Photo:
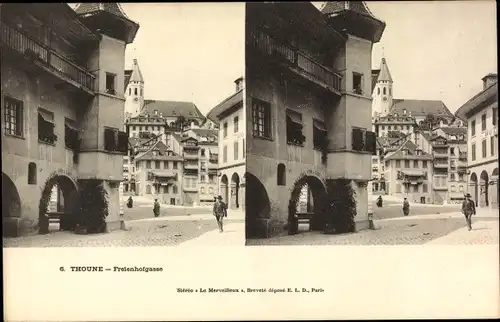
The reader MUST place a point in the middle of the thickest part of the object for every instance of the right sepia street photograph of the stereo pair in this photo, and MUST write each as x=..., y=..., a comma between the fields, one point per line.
x=350, y=143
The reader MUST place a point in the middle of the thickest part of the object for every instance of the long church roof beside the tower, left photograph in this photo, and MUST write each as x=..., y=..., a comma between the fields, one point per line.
x=172, y=109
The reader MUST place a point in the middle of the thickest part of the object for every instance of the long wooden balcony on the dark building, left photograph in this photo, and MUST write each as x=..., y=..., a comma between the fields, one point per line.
x=46, y=58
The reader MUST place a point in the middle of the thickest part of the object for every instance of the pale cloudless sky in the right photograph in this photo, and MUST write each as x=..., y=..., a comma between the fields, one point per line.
x=437, y=50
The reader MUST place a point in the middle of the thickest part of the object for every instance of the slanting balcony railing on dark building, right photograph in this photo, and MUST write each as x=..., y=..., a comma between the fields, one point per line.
x=308, y=65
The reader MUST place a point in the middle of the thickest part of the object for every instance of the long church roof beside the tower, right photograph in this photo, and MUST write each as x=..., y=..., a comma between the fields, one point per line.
x=420, y=108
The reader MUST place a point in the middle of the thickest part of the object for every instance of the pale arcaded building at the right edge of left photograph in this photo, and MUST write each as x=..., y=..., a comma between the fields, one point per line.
x=230, y=117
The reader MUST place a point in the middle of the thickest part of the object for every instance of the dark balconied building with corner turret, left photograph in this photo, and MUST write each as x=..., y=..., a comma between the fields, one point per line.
x=60, y=98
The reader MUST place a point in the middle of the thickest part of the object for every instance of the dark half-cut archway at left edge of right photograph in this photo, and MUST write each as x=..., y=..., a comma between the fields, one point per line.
x=258, y=207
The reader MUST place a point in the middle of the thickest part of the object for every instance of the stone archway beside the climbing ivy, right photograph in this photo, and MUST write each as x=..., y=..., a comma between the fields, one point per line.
x=317, y=190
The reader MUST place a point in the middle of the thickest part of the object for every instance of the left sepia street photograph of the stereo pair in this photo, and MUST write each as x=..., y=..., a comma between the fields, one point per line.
x=111, y=130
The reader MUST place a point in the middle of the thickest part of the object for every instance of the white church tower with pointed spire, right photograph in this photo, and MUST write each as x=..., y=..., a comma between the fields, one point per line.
x=382, y=92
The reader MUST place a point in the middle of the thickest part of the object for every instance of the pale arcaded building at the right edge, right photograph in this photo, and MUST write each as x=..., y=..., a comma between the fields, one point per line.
x=481, y=115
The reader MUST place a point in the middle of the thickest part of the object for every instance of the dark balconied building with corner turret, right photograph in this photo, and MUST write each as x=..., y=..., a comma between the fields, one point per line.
x=308, y=98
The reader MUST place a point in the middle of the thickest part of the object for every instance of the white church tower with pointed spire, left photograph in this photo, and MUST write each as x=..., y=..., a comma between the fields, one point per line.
x=134, y=93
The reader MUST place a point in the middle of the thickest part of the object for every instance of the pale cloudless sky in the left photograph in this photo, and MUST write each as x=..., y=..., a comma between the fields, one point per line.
x=188, y=51
